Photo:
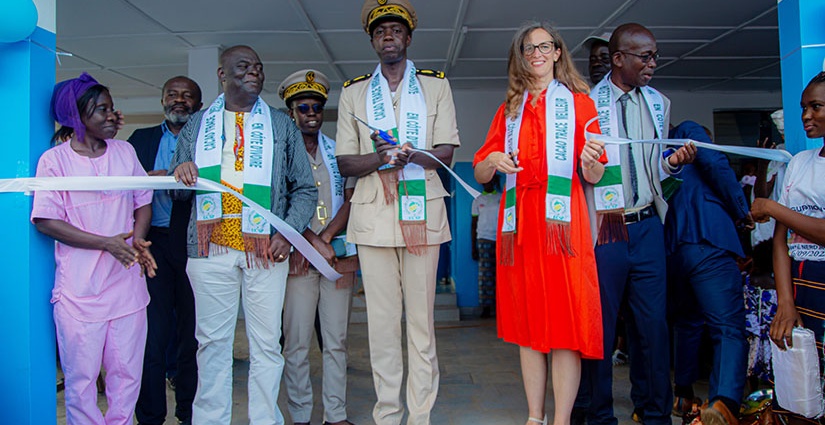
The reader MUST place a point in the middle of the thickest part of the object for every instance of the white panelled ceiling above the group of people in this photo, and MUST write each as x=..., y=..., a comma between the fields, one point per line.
x=133, y=46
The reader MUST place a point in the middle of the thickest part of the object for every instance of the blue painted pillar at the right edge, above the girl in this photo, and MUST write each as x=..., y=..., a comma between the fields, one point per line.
x=802, y=49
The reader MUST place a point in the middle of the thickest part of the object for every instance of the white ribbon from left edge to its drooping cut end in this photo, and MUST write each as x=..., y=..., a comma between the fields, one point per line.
x=31, y=184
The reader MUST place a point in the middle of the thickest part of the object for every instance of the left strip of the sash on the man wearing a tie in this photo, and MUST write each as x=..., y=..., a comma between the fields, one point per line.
x=608, y=192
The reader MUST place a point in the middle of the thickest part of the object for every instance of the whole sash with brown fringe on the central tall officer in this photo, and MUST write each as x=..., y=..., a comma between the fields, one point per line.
x=411, y=180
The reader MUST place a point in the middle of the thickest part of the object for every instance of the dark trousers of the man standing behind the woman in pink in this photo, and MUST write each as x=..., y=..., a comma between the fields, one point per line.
x=171, y=298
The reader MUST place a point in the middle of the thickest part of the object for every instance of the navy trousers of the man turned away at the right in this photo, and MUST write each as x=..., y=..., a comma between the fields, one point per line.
x=706, y=289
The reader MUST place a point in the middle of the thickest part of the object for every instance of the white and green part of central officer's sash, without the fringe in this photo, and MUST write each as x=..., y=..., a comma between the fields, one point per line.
x=413, y=130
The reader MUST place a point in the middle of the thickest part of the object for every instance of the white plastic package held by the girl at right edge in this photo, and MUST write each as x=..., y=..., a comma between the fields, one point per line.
x=798, y=386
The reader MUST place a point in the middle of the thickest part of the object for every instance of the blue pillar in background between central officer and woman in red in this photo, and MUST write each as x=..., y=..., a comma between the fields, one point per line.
x=464, y=269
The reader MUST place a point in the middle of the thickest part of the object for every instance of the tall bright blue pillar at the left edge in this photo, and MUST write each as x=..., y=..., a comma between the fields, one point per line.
x=27, y=352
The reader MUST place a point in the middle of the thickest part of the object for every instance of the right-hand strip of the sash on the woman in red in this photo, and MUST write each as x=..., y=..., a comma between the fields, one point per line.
x=560, y=116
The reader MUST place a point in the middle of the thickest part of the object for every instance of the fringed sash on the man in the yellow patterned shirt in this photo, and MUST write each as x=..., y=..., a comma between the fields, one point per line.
x=257, y=176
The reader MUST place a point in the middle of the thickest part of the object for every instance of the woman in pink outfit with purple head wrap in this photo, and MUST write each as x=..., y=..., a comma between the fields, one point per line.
x=99, y=293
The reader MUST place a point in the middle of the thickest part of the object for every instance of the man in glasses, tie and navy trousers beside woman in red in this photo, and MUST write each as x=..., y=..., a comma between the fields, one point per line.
x=630, y=252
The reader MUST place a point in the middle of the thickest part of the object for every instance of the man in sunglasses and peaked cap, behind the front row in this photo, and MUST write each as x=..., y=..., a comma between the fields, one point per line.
x=307, y=291
